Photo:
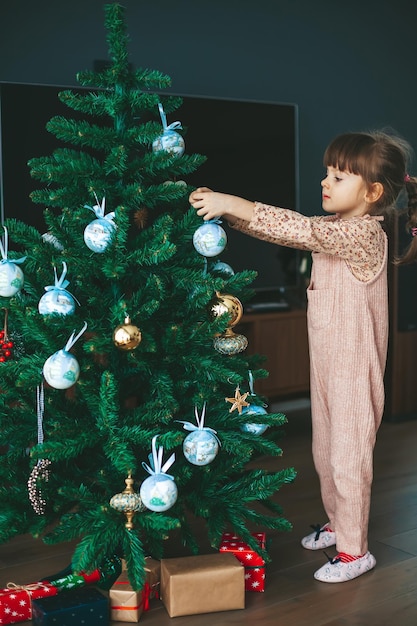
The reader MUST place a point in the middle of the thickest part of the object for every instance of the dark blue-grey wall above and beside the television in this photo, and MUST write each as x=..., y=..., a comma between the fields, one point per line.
x=348, y=65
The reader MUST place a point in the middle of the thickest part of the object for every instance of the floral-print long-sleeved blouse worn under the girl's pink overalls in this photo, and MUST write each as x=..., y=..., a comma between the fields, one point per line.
x=360, y=241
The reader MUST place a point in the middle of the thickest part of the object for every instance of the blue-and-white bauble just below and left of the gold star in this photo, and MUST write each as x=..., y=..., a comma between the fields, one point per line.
x=201, y=446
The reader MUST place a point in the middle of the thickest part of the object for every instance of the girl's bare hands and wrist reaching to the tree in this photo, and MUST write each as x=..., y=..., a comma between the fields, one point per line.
x=210, y=204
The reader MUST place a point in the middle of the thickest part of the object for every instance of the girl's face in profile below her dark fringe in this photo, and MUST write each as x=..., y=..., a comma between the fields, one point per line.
x=344, y=193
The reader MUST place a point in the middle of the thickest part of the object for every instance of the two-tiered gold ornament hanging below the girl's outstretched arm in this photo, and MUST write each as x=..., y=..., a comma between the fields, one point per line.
x=229, y=342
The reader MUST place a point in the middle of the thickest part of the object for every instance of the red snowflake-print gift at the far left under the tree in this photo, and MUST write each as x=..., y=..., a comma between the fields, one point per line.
x=16, y=600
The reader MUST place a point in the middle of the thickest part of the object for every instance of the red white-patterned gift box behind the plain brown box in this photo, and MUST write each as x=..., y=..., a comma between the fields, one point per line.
x=254, y=564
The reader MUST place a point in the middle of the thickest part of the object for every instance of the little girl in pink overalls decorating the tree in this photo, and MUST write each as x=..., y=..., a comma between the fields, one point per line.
x=347, y=322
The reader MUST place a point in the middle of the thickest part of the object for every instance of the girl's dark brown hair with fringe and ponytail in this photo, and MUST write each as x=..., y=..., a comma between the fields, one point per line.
x=379, y=157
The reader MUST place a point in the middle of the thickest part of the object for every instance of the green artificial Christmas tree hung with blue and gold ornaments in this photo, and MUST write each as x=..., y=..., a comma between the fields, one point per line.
x=113, y=365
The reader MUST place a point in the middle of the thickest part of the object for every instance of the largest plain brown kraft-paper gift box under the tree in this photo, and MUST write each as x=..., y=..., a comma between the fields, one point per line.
x=202, y=584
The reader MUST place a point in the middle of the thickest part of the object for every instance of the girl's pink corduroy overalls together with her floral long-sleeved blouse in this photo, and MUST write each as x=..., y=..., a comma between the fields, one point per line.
x=348, y=335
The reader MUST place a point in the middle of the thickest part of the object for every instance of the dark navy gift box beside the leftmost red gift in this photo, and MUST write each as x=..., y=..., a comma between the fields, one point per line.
x=83, y=605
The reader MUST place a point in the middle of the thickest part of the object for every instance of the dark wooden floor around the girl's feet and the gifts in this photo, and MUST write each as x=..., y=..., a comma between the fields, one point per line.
x=385, y=596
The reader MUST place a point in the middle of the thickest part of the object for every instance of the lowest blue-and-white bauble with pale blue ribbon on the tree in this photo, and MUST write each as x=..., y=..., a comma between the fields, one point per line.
x=158, y=492
